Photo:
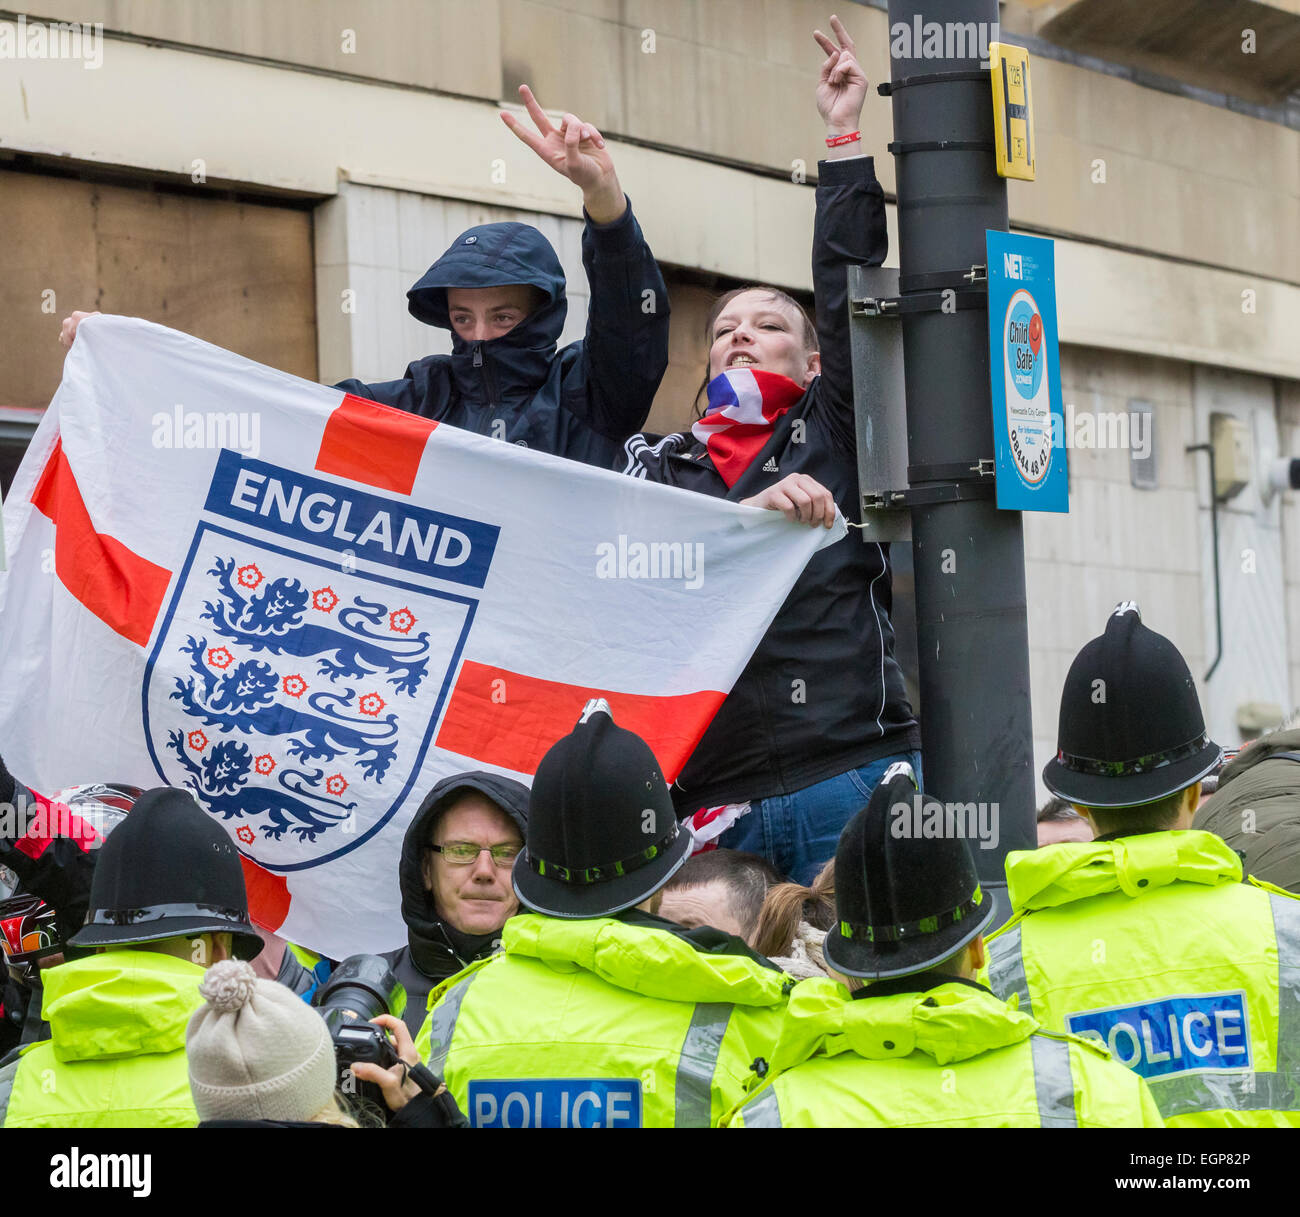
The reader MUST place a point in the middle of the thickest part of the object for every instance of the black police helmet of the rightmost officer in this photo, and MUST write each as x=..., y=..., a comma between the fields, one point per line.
x=1132, y=727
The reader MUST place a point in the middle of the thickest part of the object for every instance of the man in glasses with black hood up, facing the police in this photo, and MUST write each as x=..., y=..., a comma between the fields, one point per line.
x=457, y=860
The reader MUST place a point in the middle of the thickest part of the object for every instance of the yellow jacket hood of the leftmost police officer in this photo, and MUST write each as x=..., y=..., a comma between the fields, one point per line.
x=122, y=1003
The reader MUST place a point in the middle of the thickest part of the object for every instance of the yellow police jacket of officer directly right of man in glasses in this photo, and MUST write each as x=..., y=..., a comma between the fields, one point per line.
x=601, y=1024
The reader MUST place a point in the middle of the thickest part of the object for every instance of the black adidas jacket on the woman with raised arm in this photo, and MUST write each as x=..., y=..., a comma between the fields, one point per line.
x=822, y=694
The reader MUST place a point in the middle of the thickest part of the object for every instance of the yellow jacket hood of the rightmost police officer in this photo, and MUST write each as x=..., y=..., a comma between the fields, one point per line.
x=1063, y=874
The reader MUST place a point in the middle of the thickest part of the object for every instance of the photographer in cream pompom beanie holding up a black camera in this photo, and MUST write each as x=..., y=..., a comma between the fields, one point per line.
x=259, y=1058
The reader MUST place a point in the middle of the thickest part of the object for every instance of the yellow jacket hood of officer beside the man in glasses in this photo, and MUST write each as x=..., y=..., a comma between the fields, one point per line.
x=647, y=962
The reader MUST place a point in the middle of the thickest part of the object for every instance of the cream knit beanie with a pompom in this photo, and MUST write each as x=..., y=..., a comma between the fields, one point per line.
x=257, y=1051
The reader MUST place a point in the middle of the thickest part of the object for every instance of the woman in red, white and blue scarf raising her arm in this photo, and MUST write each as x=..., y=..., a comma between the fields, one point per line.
x=821, y=711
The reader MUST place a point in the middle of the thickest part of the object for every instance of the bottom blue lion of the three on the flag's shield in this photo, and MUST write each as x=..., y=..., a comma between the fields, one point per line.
x=220, y=781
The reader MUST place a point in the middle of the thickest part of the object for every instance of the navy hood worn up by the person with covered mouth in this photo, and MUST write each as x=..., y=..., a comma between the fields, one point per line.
x=493, y=255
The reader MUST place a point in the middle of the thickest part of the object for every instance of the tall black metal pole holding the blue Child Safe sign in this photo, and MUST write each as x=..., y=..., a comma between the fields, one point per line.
x=972, y=630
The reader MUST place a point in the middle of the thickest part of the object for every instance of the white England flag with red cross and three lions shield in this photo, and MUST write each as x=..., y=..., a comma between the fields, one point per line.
x=306, y=609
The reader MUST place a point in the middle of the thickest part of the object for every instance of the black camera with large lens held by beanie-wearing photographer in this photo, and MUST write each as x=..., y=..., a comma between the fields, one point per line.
x=361, y=989
